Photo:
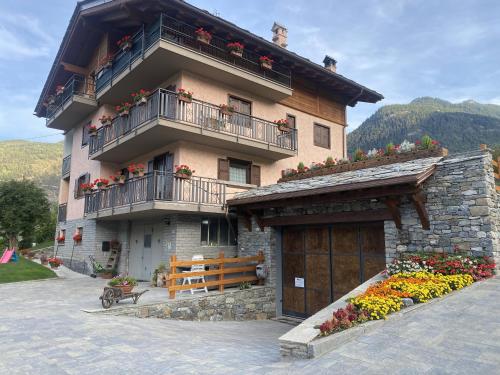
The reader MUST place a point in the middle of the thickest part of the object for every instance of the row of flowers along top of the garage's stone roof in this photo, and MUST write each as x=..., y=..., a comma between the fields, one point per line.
x=407, y=151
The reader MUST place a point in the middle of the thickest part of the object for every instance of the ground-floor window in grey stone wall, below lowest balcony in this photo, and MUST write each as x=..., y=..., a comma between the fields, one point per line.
x=218, y=231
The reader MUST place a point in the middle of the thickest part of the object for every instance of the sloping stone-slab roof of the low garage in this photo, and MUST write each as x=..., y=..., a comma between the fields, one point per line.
x=410, y=172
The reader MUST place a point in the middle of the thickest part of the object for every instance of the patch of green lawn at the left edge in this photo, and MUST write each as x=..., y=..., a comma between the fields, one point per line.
x=23, y=270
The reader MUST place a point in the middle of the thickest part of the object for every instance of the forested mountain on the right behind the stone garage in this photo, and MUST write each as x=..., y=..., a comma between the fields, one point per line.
x=458, y=126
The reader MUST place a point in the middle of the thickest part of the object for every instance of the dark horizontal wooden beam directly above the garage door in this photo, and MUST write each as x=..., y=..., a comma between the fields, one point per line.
x=339, y=217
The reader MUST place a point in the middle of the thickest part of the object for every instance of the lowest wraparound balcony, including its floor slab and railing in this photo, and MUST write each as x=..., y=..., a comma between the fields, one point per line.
x=155, y=194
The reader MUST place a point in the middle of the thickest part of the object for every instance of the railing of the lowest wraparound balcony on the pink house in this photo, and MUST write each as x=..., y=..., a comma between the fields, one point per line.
x=157, y=186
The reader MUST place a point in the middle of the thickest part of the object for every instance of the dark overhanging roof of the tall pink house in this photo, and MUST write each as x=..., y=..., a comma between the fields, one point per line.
x=364, y=94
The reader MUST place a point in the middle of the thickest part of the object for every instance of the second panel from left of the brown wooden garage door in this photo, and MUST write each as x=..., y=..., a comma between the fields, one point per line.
x=317, y=283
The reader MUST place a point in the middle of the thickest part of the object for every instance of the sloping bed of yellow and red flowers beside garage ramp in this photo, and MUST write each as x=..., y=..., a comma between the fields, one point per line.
x=419, y=277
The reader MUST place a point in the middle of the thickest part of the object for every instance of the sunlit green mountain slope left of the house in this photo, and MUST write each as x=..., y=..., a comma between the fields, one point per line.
x=37, y=161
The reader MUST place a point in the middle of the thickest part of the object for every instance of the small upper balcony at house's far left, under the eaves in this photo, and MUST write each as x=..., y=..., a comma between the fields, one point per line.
x=75, y=103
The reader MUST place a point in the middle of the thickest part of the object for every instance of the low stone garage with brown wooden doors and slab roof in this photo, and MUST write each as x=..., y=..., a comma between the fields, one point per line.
x=324, y=235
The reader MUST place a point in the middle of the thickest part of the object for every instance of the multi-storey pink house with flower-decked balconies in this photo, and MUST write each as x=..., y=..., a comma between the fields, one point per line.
x=112, y=49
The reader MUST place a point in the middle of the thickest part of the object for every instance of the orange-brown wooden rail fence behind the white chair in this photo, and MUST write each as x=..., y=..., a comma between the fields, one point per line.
x=238, y=266
